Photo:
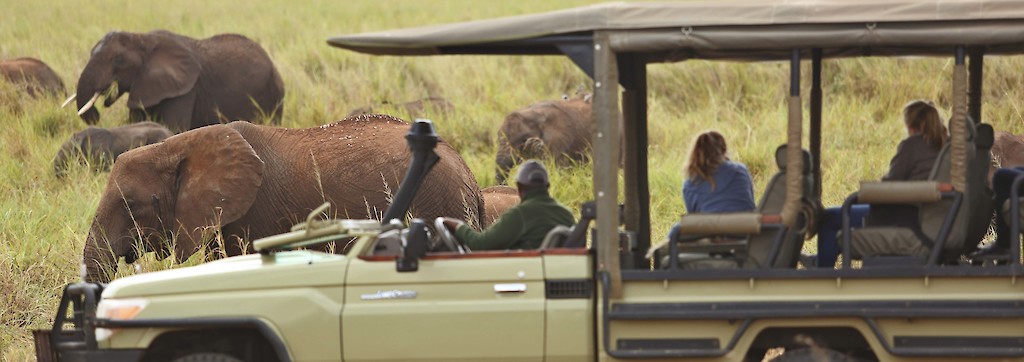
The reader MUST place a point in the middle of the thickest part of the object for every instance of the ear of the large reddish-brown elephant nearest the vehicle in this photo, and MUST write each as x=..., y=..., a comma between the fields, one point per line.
x=219, y=177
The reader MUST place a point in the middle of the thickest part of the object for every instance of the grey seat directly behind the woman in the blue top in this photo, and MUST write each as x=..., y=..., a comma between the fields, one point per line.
x=761, y=246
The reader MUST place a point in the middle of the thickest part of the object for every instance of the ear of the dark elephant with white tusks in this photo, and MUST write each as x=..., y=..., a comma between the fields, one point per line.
x=172, y=70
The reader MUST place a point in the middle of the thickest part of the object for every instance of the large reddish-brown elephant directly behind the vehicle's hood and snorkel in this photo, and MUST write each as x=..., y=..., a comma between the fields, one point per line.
x=249, y=182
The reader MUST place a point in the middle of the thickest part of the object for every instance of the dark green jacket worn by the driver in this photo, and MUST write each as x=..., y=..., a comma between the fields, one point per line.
x=523, y=227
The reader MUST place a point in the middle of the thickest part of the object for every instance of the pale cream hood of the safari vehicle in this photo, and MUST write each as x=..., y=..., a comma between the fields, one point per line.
x=288, y=269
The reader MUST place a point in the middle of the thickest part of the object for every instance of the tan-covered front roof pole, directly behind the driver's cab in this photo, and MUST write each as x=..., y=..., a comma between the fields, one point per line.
x=607, y=139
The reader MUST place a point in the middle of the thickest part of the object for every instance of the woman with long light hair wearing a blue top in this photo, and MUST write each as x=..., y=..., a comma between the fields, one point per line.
x=715, y=184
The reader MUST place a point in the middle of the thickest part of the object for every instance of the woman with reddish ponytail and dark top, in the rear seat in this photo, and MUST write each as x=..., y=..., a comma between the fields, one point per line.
x=914, y=161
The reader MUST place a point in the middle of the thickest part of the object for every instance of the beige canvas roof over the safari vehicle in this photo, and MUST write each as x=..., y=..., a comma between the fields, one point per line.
x=727, y=30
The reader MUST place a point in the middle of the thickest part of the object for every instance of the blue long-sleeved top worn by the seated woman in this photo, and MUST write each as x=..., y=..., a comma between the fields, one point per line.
x=734, y=192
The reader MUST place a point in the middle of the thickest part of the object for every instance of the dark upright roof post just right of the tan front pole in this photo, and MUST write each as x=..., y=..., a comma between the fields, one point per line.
x=633, y=76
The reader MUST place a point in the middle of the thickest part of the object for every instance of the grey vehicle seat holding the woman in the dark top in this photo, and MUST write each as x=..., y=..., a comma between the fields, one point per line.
x=969, y=223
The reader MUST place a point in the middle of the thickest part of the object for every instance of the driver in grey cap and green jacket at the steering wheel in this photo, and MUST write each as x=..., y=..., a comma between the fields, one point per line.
x=525, y=225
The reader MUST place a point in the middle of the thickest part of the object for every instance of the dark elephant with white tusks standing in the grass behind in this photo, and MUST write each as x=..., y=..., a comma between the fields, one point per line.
x=182, y=82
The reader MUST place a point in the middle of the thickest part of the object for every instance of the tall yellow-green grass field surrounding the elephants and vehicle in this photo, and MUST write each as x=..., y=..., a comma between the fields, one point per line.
x=45, y=221
